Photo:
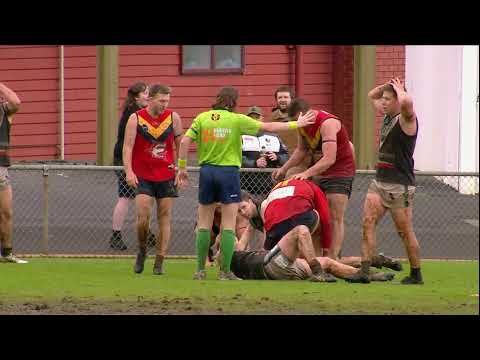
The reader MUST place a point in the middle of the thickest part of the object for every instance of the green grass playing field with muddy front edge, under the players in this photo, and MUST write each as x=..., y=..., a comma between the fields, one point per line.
x=101, y=286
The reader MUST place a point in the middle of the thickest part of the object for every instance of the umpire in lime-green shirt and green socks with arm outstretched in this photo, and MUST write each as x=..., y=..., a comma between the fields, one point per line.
x=218, y=134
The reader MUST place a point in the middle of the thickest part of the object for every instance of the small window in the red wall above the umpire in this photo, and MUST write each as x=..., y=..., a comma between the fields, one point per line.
x=212, y=59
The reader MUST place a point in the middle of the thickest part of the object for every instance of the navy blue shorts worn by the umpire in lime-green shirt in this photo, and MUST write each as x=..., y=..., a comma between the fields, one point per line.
x=219, y=184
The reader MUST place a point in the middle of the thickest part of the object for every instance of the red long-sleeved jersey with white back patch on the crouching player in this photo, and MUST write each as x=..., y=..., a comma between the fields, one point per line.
x=294, y=197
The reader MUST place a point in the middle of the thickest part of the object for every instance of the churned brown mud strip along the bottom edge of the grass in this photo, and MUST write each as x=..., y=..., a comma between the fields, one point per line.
x=236, y=304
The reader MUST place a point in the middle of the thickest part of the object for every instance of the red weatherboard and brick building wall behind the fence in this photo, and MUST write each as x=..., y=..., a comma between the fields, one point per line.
x=326, y=80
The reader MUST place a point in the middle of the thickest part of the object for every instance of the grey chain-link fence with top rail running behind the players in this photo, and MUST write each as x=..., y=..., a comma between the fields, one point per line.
x=67, y=209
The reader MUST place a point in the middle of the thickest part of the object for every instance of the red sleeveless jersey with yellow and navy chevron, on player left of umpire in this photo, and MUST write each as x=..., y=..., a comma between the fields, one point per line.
x=152, y=155
